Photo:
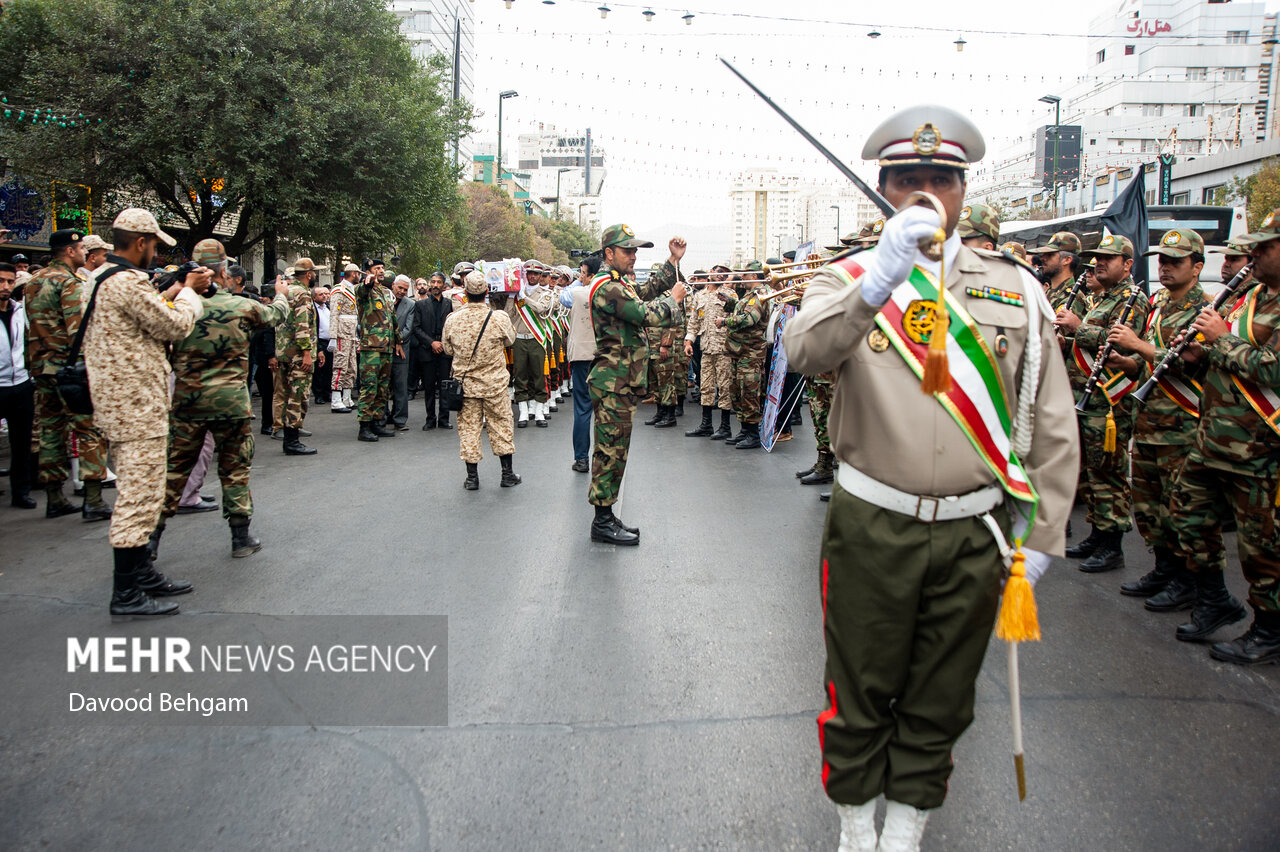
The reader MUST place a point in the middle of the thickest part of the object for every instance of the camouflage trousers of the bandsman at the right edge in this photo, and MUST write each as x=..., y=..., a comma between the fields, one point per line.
x=1197, y=519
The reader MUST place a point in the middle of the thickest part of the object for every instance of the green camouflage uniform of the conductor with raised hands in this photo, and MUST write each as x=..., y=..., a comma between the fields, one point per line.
x=621, y=312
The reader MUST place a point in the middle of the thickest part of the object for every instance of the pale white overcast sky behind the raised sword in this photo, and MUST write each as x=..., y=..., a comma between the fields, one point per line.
x=676, y=126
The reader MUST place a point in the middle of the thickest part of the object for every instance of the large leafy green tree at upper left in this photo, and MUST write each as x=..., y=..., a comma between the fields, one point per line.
x=309, y=118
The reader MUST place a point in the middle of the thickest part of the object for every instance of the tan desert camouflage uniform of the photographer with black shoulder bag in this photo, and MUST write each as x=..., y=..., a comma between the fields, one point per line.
x=129, y=373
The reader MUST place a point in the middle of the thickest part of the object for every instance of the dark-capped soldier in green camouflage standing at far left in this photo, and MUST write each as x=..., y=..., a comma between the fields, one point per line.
x=54, y=300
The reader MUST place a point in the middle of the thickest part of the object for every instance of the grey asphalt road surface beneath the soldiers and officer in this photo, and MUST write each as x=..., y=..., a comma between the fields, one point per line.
x=643, y=698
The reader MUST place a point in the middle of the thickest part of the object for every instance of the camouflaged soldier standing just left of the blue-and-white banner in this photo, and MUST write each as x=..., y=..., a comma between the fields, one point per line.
x=746, y=323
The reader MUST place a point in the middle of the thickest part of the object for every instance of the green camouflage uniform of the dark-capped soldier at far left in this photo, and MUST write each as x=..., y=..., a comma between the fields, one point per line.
x=54, y=301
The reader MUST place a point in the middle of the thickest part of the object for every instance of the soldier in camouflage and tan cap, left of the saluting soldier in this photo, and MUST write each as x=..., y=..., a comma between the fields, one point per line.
x=296, y=346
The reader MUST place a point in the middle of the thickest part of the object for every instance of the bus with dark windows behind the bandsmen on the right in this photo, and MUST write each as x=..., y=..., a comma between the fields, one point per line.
x=1218, y=226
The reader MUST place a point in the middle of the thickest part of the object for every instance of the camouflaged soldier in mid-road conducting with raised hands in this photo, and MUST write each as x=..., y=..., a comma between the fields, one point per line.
x=621, y=312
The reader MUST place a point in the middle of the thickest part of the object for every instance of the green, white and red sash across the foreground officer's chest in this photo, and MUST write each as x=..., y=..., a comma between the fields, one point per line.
x=977, y=401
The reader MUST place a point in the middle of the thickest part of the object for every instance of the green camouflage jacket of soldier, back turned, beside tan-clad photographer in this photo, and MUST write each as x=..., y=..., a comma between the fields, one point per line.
x=212, y=364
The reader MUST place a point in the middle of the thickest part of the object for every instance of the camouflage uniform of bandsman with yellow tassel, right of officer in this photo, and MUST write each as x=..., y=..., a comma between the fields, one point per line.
x=1109, y=493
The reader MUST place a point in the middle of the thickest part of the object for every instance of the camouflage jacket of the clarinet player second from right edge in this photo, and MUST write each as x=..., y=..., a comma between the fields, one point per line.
x=1163, y=422
